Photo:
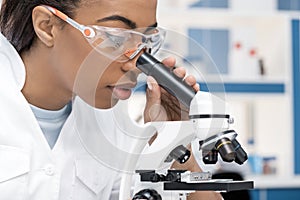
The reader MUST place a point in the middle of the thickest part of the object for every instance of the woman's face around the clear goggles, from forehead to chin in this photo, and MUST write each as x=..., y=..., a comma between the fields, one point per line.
x=98, y=80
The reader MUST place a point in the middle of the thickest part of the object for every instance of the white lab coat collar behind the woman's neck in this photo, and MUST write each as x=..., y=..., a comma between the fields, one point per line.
x=17, y=65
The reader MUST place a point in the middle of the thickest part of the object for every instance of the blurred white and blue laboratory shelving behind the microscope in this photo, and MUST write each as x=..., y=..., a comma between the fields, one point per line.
x=255, y=47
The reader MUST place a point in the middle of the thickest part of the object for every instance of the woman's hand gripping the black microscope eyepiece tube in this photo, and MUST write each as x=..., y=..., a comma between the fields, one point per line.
x=162, y=106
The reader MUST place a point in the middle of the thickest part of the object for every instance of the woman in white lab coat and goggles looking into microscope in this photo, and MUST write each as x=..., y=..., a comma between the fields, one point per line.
x=49, y=61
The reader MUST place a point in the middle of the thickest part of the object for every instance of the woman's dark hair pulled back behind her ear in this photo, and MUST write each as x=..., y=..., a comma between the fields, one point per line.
x=16, y=19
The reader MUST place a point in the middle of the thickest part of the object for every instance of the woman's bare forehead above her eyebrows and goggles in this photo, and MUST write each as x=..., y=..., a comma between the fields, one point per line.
x=141, y=12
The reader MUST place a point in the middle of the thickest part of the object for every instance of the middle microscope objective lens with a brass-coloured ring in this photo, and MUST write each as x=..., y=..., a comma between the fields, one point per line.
x=226, y=150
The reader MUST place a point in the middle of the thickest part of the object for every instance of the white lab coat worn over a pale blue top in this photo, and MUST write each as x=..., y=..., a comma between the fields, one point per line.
x=29, y=169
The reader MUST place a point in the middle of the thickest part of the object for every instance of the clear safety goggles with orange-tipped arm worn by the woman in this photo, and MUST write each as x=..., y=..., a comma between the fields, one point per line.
x=117, y=43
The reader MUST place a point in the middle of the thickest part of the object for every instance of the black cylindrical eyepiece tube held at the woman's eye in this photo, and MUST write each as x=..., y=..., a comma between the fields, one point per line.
x=166, y=78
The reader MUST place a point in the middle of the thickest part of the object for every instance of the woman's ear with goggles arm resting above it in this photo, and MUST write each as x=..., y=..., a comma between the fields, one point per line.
x=43, y=25
